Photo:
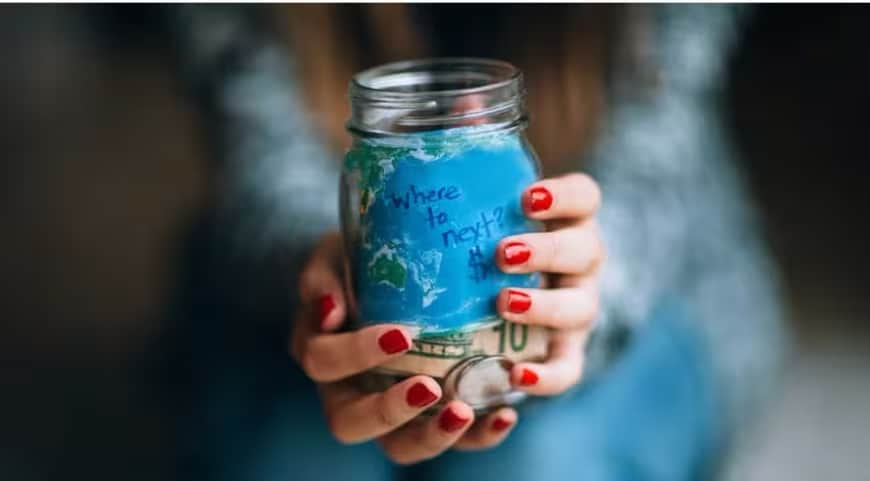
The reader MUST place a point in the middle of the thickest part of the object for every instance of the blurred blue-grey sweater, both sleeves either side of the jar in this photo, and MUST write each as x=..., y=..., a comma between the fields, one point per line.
x=676, y=217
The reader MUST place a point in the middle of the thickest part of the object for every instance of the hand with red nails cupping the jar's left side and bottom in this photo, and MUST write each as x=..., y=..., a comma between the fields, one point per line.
x=331, y=358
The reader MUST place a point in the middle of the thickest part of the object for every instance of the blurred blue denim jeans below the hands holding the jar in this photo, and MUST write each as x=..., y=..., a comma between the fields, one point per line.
x=651, y=416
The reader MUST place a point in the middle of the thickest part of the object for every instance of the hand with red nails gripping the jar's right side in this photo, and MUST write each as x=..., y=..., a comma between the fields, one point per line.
x=570, y=253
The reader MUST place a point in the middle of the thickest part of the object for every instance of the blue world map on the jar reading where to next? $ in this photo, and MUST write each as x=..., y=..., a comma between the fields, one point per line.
x=422, y=215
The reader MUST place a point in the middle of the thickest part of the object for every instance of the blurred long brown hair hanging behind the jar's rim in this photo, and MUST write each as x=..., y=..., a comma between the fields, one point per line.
x=561, y=49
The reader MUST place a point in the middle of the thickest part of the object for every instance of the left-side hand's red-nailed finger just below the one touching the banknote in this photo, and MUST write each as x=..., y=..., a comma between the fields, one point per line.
x=372, y=415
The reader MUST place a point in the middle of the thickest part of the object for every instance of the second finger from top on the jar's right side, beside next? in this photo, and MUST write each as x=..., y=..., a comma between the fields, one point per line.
x=574, y=250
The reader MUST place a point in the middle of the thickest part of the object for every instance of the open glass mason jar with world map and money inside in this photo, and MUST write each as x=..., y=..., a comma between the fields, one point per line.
x=431, y=184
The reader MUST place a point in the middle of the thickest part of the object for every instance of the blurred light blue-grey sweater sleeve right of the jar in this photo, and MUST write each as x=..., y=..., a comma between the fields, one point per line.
x=676, y=217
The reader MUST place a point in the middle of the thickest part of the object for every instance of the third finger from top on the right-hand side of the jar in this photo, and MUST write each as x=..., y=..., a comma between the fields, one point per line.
x=565, y=308
